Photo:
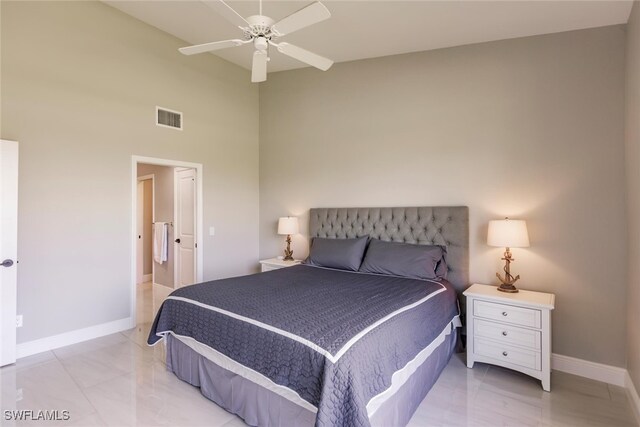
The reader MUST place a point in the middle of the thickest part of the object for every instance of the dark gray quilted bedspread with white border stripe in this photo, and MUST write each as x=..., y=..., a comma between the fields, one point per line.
x=334, y=337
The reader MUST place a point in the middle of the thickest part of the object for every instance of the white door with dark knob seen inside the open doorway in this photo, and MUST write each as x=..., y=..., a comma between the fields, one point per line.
x=185, y=227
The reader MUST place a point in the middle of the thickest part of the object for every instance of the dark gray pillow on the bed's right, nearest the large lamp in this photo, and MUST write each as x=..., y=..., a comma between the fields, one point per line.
x=405, y=259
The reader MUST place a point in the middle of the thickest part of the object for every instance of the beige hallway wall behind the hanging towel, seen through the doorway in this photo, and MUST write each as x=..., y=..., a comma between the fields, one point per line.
x=164, y=201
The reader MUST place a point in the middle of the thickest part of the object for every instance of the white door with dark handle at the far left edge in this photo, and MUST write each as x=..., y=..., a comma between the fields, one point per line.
x=8, y=249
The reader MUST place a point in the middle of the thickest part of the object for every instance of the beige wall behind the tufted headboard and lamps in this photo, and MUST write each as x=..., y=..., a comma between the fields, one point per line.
x=532, y=128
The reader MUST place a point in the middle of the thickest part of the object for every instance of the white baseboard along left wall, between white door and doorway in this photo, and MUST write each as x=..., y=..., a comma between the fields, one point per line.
x=56, y=341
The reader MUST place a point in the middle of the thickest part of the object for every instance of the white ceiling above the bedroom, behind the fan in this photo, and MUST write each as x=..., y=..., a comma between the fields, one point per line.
x=366, y=29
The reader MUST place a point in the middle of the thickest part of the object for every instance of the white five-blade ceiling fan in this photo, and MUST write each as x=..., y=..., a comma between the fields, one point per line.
x=262, y=30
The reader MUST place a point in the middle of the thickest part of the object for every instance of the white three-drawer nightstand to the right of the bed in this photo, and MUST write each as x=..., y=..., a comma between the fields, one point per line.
x=510, y=330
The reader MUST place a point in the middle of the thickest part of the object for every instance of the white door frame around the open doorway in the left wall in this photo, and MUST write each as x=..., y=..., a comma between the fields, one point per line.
x=135, y=160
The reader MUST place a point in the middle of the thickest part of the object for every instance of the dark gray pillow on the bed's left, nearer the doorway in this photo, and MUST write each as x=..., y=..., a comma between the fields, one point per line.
x=344, y=254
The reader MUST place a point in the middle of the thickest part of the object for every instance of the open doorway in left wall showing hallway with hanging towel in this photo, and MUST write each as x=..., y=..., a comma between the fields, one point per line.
x=167, y=223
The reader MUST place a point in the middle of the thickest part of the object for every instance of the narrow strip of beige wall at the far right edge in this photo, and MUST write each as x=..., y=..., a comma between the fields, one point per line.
x=633, y=192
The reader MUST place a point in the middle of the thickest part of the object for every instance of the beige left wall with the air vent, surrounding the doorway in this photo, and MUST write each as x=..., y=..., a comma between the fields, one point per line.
x=80, y=82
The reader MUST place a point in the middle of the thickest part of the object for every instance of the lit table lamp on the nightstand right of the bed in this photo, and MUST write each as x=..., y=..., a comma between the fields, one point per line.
x=508, y=233
